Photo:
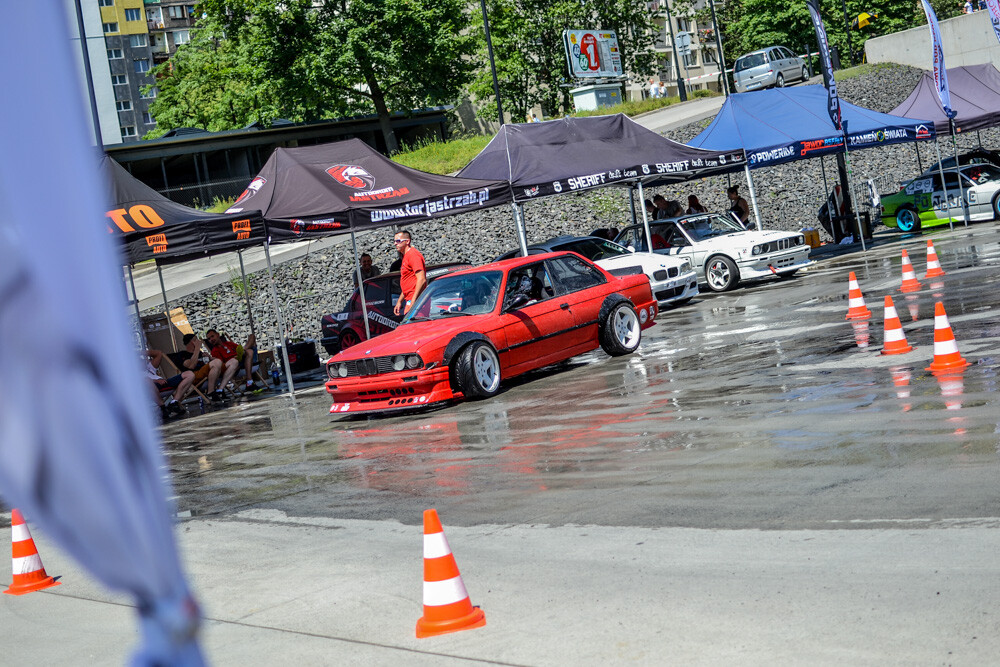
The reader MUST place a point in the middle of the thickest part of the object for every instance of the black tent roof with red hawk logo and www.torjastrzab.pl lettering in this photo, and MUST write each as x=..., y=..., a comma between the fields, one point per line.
x=329, y=188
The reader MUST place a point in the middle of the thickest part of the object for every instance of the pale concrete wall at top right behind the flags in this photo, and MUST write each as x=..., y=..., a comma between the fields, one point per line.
x=967, y=40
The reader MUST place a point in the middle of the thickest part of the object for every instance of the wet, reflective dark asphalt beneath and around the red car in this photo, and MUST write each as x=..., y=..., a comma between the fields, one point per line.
x=761, y=408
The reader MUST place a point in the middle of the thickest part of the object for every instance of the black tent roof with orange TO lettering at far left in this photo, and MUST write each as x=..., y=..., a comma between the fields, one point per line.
x=154, y=227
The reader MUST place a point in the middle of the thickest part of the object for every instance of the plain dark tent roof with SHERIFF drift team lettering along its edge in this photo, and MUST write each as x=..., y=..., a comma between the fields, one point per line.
x=572, y=154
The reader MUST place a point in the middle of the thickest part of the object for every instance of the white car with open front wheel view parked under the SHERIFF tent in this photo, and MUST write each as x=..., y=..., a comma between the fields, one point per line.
x=722, y=252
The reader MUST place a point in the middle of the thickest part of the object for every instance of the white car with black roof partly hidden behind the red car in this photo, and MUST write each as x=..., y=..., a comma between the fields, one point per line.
x=672, y=279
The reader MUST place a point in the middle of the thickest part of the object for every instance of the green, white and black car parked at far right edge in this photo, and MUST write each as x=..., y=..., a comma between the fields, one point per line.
x=924, y=202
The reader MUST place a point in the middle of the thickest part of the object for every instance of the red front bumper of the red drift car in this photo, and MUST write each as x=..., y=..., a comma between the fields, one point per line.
x=403, y=390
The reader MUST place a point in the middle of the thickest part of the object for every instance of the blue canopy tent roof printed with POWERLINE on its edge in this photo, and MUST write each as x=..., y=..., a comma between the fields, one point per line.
x=785, y=124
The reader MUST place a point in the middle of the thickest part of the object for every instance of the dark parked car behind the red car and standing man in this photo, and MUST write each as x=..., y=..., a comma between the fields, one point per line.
x=346, y=328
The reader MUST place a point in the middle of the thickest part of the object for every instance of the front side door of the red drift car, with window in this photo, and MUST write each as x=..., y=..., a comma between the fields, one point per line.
x=537, y=331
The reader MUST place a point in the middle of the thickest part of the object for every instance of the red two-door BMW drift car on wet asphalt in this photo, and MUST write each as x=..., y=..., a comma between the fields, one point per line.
x=471, y=328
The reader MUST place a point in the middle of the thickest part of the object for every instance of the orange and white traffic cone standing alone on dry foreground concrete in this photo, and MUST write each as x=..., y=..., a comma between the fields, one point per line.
x=447, y=607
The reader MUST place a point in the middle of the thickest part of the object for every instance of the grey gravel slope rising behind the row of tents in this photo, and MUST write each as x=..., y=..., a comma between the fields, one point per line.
x=788, y=196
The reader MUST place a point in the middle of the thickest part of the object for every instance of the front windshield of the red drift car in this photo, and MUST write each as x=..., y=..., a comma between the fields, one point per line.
x=455, y=296
